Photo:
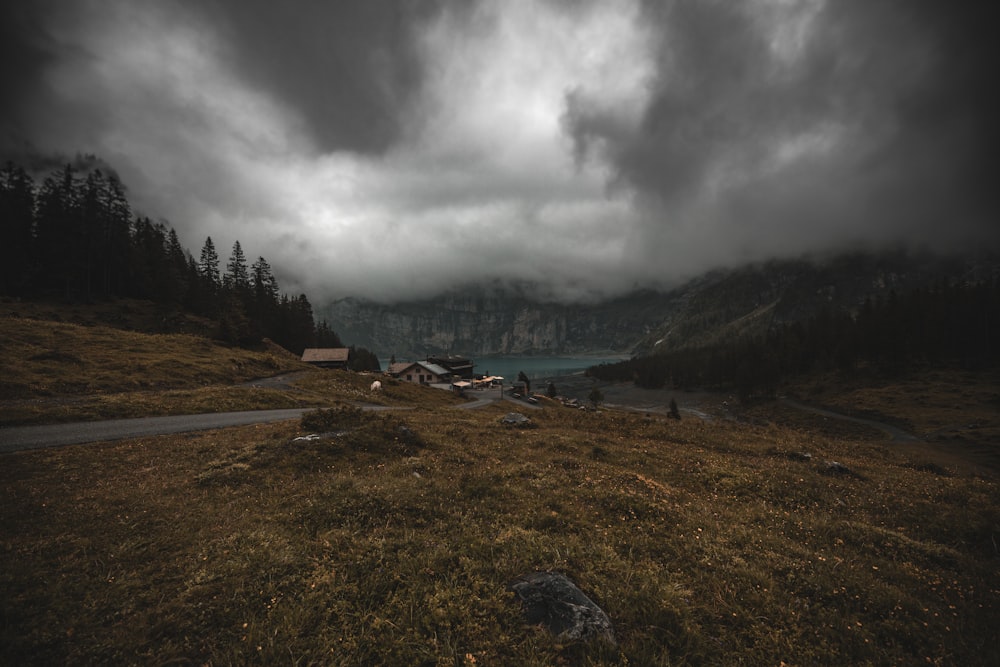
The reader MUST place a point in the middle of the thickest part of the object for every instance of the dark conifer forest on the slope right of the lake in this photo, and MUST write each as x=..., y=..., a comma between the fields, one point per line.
x=948, y=324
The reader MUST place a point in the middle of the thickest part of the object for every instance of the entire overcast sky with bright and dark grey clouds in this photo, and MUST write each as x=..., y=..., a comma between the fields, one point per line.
x=392, y=149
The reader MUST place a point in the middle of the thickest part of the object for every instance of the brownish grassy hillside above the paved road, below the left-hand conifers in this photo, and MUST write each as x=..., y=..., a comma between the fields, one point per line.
x=55, y=370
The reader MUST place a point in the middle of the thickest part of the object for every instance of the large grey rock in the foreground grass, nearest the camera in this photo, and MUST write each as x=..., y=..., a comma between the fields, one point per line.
x=554, y=601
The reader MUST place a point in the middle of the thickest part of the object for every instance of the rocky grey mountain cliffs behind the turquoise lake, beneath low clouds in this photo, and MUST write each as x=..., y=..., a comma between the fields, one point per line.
x=745, y=301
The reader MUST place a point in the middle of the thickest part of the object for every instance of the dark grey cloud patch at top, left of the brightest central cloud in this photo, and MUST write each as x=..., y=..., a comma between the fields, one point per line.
x=350, y=68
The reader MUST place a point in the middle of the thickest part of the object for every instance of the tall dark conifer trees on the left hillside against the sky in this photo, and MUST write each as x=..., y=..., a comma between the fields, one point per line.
x=76, y=237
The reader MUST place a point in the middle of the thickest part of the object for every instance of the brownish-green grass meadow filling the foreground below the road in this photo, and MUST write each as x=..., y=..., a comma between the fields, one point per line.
x=392, y=539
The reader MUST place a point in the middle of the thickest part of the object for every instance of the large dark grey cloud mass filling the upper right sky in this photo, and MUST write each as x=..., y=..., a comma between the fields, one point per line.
x=877, y=122
